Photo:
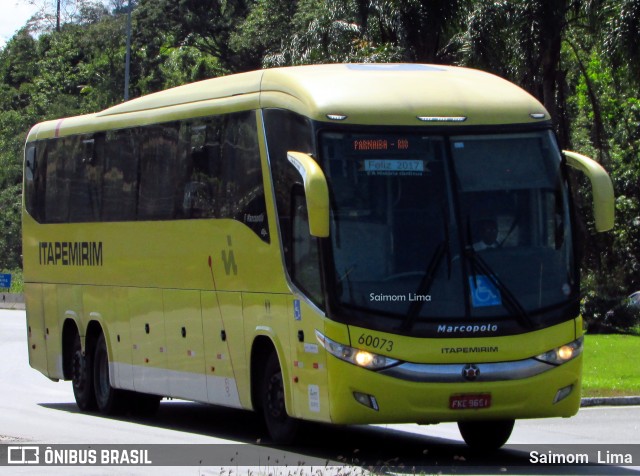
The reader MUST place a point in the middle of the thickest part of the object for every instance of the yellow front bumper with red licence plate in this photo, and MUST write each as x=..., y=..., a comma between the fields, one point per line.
x=362, y=396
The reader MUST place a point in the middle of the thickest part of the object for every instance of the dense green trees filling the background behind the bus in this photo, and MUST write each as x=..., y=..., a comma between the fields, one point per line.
x=581, y=58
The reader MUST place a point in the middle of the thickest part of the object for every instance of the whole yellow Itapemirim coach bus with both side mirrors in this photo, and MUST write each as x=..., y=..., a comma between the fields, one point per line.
x=336, y=243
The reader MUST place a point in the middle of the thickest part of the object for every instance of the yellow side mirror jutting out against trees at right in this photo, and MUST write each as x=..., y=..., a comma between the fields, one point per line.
x=602, y=188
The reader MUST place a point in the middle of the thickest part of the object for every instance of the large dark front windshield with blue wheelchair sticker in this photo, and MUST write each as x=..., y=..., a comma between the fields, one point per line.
x=433, y=228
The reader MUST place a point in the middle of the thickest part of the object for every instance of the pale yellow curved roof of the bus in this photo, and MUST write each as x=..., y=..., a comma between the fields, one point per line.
x=372, y=94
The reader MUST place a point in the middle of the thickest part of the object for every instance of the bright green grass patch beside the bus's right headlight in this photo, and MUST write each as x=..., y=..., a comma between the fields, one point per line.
x=611, y=366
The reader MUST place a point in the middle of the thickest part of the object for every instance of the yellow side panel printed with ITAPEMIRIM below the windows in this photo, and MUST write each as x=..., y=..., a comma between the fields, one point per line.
x=175, y=255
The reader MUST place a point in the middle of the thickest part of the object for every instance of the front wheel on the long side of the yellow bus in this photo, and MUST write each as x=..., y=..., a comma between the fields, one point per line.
x=281, y=427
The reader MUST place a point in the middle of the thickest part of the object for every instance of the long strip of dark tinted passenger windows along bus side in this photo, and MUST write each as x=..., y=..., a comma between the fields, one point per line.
x=205, y=168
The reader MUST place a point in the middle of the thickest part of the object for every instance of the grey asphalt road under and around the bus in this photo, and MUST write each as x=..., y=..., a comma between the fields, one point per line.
x=36, y=411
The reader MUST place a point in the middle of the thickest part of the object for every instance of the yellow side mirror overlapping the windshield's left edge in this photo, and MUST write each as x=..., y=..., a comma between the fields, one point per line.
x=316, y=191
